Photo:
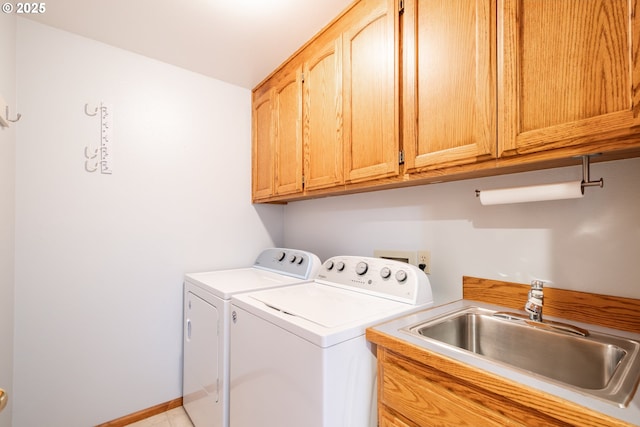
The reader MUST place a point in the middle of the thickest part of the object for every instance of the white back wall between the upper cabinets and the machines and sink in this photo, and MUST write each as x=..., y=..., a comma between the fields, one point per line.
x=590, y=244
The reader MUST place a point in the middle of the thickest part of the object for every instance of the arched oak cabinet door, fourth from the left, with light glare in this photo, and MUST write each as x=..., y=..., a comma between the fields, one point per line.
x=370, y=101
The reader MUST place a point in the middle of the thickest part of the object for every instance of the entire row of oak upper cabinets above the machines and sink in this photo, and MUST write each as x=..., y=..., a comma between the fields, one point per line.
x=463, y=87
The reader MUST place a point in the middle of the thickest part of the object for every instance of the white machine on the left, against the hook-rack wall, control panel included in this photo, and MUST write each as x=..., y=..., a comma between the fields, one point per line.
x=206, y=321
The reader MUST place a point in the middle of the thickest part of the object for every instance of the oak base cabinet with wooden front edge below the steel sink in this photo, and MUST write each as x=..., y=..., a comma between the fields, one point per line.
x=418, y=388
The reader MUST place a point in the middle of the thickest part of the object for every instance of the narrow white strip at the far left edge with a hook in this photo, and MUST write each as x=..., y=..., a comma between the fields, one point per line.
x=7, y=206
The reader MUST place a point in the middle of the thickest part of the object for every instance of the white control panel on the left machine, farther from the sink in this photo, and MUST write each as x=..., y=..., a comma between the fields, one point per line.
x=289, y=262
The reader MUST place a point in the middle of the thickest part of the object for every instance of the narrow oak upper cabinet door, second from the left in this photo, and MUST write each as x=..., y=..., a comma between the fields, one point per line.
x=288, y=135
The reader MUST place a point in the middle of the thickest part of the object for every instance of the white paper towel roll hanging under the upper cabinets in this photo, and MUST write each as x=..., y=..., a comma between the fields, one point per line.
x=533, y=193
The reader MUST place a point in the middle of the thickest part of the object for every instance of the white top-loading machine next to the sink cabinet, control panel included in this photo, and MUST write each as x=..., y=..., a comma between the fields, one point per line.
x=299, y=354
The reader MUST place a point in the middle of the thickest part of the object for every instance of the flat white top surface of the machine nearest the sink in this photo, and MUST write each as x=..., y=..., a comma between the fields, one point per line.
x=327, y=306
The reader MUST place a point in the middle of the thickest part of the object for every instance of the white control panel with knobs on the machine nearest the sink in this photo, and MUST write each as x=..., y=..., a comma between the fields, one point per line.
x=386, y=278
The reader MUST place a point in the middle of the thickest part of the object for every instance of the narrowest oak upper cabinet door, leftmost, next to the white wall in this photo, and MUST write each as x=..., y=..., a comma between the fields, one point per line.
x=263, y=130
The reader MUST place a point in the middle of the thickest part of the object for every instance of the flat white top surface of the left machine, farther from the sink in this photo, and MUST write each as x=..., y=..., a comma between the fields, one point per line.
x=225, y=283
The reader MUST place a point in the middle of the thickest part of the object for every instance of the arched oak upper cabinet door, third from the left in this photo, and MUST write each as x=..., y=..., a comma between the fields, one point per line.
x=323, y=166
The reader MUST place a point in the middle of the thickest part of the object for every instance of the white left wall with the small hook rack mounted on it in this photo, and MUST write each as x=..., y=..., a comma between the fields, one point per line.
x=100, y=258
